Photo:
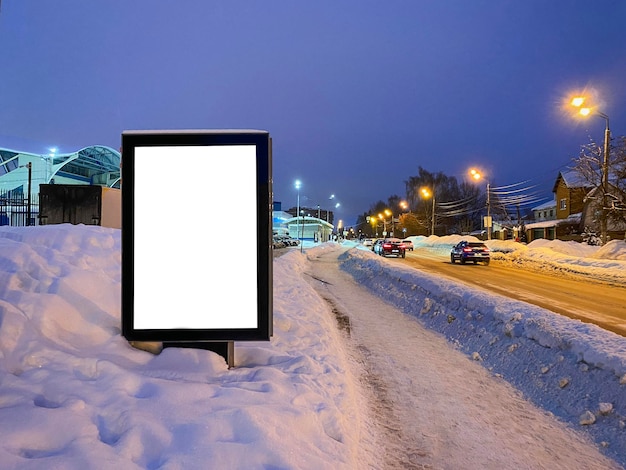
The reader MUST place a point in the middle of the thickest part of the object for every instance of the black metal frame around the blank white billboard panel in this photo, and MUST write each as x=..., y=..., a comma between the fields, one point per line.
x=202, y=337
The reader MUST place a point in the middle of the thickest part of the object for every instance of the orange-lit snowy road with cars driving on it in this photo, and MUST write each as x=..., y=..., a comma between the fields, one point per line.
x=579, y=297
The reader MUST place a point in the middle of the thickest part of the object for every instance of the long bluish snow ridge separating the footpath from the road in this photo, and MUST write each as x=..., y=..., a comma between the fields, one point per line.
x=575, y=370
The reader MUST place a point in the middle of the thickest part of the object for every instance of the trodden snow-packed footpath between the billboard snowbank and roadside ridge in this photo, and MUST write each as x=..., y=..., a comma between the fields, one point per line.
x=424, y=403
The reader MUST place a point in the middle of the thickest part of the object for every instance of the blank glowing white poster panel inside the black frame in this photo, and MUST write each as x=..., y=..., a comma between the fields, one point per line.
x=191, y=268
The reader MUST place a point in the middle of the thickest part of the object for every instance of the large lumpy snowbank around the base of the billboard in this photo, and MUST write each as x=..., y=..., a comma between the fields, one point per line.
x=74, y=394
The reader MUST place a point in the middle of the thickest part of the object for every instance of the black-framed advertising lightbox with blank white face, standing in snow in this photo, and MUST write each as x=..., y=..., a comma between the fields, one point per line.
x=196, y=235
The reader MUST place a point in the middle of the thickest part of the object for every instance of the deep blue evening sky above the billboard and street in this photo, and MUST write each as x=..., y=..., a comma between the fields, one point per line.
x=355, y=94
